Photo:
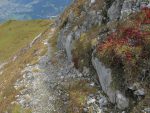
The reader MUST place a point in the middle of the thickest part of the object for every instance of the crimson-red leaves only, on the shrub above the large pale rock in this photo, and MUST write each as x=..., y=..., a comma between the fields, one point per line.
x=127, y=37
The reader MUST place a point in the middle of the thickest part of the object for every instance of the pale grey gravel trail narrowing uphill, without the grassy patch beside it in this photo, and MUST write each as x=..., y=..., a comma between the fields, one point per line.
x=43, y=82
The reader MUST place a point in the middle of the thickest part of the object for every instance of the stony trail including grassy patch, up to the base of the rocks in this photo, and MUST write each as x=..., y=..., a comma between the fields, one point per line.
x=52, y=85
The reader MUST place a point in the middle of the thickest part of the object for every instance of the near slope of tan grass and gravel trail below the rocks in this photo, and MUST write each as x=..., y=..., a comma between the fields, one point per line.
x=40, y=80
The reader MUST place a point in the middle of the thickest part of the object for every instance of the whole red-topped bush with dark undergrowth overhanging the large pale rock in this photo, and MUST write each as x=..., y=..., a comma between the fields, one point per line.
x=128, y=48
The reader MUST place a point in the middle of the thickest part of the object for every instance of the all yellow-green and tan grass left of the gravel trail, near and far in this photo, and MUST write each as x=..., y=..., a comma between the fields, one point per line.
x=21, y=34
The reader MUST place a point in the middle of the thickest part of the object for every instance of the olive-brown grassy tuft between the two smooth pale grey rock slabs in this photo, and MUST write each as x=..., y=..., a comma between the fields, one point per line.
x=83, y=48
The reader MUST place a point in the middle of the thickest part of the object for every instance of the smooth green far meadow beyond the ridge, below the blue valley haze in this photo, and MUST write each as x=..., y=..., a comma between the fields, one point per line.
x=16, y=34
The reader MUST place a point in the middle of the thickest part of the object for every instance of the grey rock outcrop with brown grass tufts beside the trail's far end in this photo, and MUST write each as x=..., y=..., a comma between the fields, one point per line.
x=77, y=22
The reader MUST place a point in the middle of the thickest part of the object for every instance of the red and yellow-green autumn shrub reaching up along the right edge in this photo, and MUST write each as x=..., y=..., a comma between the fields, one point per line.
x=128, y=43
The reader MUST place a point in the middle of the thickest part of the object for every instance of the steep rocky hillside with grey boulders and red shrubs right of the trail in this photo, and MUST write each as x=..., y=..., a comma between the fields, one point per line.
x=110, y=37
